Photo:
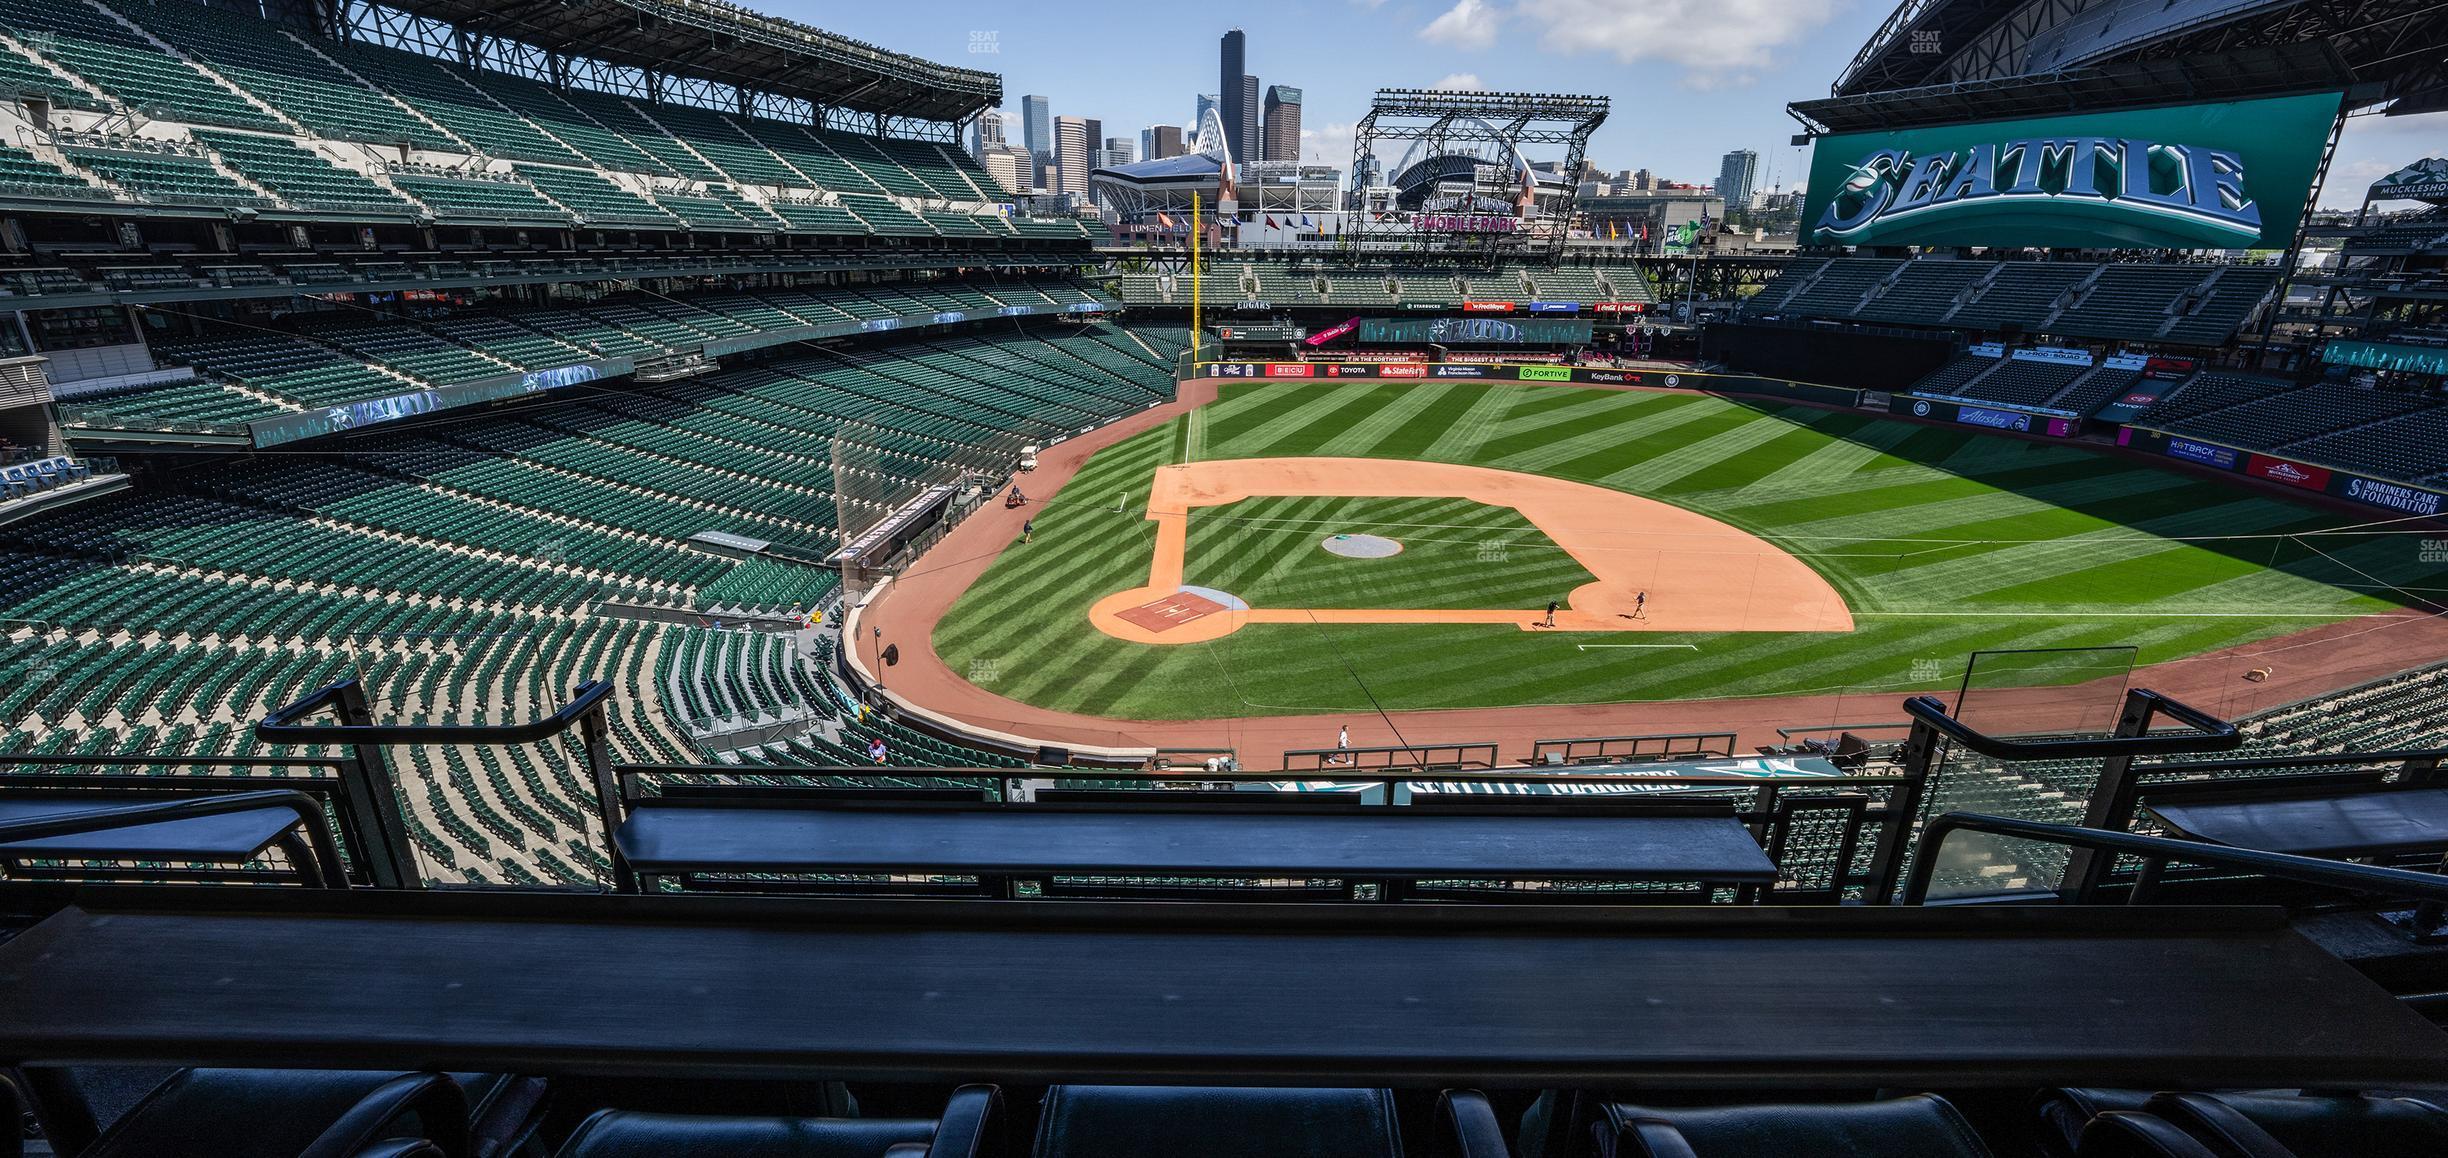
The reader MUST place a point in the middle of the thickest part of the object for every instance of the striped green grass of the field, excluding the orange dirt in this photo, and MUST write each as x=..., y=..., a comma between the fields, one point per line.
x=1942, y=542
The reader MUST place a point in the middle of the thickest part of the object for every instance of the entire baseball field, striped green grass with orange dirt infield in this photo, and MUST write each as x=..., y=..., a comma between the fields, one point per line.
x=1301, y=550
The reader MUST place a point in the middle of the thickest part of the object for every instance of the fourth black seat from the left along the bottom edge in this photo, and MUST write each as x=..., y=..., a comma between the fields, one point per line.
x=1906, y=1127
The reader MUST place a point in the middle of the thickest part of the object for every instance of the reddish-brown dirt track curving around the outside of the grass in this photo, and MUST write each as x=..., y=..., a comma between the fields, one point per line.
x=2300, y=665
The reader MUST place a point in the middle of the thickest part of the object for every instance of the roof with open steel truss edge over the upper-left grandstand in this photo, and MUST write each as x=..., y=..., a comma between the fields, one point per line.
x=696, y=53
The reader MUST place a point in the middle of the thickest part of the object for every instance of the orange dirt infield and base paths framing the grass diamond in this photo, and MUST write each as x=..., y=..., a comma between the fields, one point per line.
x=1698, y=574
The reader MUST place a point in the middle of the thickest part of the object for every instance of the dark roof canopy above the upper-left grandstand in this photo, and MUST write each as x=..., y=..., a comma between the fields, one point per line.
x=731, y=45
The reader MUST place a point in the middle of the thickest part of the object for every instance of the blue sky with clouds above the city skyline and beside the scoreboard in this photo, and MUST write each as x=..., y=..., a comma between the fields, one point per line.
x=1690, y=80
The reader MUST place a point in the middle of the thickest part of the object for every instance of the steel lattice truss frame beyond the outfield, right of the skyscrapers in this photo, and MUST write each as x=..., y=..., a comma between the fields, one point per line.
x=1438, y=121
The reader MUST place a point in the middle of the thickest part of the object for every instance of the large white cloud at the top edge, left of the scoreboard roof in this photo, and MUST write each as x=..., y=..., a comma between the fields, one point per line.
x=1717, y=43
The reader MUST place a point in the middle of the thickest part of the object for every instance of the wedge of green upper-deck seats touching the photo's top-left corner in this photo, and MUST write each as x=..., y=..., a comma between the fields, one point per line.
x=126, y=65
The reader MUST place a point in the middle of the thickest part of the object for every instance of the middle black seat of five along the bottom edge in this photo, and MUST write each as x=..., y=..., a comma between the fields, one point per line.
x=1218, y=1123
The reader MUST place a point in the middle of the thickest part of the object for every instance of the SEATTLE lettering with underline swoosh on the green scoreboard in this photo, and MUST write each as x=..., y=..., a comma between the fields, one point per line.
x=2148, y=192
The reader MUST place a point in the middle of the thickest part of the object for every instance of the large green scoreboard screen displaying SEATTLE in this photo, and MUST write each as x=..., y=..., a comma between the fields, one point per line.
x=2187, y=177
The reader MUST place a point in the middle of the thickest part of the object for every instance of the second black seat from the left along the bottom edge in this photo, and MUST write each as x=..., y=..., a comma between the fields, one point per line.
x=633, y=1135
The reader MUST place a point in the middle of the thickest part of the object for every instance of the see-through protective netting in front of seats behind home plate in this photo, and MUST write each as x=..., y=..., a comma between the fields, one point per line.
x=900, y=491
